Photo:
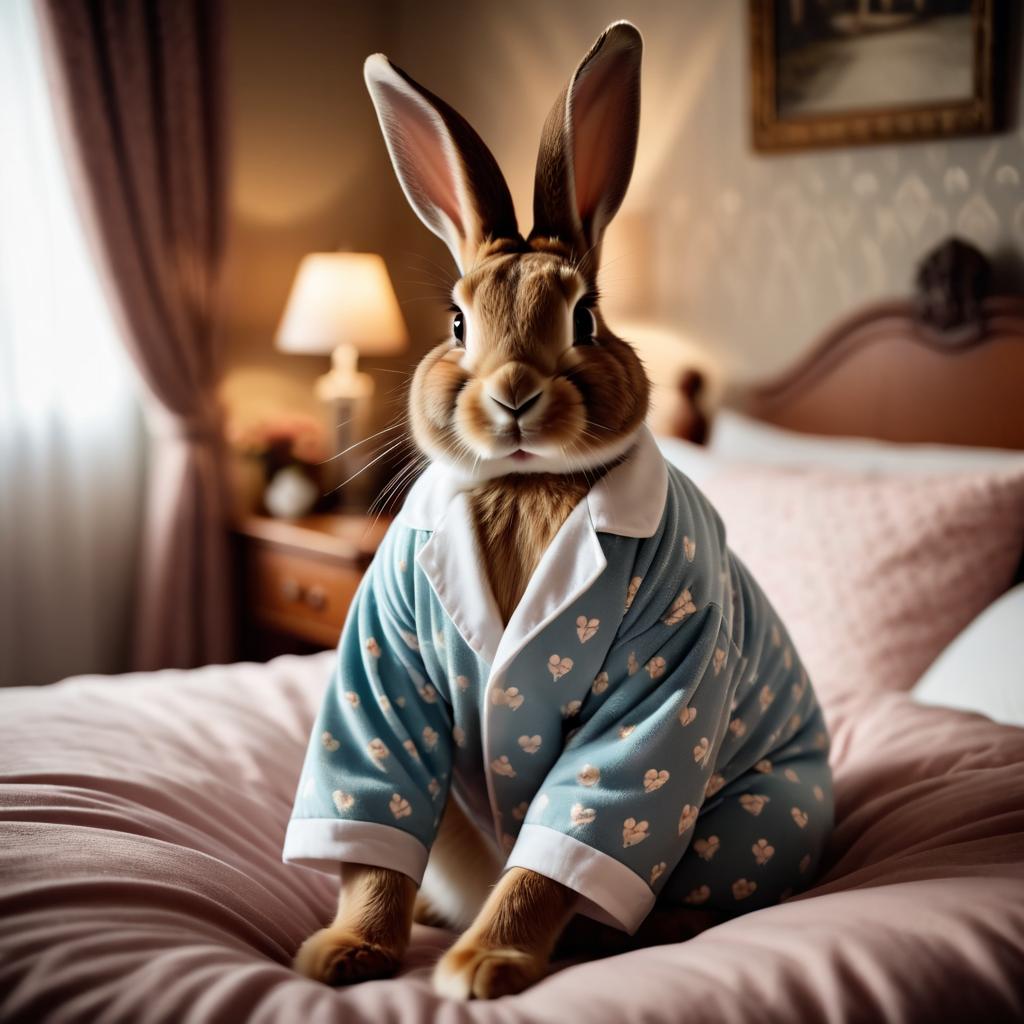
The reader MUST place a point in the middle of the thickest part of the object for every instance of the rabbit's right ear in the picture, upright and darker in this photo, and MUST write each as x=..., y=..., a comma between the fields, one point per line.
x=589, y=143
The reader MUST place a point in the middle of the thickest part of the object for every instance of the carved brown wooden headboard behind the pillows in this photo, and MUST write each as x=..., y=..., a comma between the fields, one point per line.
x=947, y=367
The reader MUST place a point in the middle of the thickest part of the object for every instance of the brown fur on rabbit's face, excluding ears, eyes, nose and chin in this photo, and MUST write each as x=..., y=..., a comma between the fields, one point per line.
x=519, y=305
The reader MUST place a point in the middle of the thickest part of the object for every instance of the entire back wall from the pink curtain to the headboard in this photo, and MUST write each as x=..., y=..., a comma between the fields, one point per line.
x=748, y=258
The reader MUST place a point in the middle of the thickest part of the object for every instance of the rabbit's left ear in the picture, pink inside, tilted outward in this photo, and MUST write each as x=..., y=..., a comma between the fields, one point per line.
x=448, y=175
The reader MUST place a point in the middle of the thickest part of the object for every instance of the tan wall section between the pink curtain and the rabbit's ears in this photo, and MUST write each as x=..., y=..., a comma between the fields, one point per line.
x=305, y=160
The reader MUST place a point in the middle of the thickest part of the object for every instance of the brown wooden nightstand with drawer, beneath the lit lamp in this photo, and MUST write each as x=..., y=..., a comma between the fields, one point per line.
x=297, y=579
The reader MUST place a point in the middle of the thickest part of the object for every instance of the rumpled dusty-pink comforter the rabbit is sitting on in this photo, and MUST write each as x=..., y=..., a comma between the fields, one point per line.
x=142, y=821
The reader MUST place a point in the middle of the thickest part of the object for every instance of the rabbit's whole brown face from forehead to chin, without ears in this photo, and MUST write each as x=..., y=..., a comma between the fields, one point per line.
x=526, y=398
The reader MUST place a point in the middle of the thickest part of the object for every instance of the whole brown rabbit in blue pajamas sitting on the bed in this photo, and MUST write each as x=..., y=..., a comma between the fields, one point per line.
x=534, y=408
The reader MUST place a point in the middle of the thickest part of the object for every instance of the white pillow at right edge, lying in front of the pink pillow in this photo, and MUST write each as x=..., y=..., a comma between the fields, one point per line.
x=984, y=669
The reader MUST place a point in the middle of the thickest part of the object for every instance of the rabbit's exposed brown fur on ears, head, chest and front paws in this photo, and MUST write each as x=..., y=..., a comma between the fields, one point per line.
x=533, y=463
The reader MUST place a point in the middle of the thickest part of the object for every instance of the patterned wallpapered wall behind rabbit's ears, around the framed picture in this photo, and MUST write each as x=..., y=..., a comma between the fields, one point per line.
x=748, y=255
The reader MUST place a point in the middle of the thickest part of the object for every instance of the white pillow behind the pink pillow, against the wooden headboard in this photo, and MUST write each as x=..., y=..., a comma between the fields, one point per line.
x=739, y=439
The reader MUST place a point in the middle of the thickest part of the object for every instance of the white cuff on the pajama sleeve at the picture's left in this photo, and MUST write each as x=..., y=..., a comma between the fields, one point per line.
x=323, y=844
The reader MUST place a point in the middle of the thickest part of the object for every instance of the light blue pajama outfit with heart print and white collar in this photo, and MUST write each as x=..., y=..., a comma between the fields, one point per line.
x=643, y=730
